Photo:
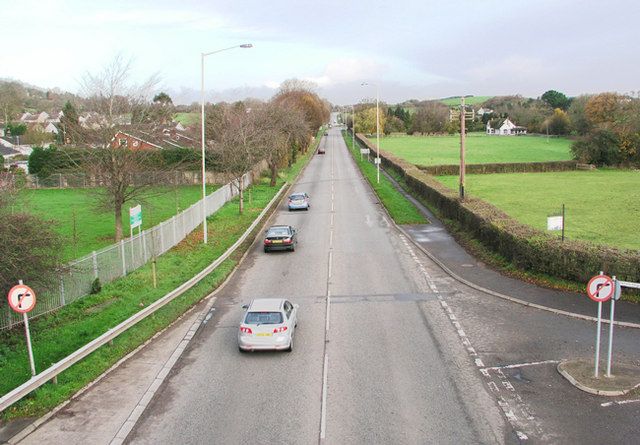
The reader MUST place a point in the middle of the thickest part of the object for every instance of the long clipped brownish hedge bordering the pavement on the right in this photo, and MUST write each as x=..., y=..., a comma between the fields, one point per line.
x=527, y=248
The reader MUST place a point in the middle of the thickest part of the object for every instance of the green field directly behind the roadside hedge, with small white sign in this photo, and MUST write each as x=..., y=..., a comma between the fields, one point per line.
x=602, y=206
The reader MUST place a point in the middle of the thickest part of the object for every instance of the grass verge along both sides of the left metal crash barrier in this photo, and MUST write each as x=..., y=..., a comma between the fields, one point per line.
x=60, y=333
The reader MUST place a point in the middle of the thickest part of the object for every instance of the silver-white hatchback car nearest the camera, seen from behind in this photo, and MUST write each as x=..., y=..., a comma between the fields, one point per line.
x=268, y=324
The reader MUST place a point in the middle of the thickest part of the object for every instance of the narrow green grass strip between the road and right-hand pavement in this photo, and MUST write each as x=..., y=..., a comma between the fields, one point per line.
x=401, y=210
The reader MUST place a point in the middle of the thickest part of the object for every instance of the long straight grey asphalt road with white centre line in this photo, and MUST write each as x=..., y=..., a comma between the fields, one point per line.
x=376, y=357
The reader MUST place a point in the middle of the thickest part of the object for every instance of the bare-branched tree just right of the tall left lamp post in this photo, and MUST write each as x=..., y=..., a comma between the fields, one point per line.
x=237, y=145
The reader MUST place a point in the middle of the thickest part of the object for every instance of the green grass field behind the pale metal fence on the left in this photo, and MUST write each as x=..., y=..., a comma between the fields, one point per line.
x=96, y=229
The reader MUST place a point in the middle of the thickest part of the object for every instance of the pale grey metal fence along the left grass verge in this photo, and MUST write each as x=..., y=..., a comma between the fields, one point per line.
x=122, y=258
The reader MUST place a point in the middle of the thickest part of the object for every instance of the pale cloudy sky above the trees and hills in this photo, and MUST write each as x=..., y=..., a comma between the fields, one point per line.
x=419, y=49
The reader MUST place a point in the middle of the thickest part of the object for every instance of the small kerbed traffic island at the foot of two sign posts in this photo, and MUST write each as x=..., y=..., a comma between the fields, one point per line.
x=579, y=374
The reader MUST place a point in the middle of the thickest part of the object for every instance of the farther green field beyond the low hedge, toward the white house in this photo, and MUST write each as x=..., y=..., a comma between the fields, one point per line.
x=480, y=149
